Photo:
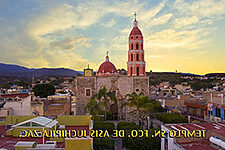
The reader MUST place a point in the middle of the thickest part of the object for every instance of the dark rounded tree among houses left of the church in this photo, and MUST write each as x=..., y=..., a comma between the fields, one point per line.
x=43, y=90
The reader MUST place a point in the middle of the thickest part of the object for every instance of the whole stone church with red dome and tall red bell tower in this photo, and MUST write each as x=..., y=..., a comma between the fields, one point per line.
x=108, y=76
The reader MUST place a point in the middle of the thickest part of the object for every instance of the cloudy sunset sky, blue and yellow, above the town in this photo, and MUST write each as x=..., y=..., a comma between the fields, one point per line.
x=183, y=35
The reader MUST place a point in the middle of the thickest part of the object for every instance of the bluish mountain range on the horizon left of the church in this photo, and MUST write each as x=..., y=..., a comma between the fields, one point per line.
x=20, y=71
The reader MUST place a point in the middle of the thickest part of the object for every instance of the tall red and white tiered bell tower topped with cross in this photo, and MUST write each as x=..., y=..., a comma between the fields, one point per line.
x=136, y=60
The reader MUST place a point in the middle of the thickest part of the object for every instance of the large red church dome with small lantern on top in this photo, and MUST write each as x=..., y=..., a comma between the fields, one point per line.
x=107, y=68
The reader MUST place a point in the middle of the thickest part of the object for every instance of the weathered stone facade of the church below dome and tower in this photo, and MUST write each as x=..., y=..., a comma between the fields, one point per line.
x=121, y=85
